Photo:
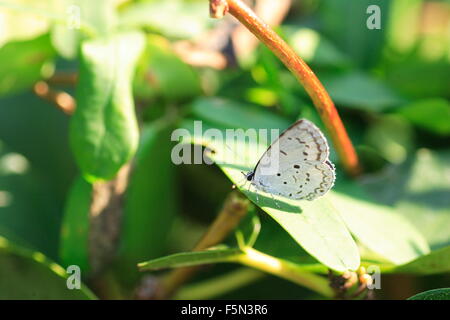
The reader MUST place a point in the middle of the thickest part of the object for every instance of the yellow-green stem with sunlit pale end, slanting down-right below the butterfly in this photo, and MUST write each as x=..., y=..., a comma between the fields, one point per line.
x=285, y=269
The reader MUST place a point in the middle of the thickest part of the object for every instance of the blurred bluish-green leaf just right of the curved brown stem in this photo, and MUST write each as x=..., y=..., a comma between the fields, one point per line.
x=360, y=91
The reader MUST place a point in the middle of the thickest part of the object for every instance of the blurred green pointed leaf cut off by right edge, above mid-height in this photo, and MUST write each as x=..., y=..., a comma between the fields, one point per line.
x=429, y=114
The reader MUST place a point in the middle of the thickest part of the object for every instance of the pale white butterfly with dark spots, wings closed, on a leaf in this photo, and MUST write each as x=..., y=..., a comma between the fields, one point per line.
x=295, y=165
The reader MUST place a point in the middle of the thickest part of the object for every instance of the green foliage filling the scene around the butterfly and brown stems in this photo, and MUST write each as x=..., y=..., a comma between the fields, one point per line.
x=391, y=87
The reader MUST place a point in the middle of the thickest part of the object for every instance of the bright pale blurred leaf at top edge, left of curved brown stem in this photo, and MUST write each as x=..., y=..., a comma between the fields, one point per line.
x=171, y=18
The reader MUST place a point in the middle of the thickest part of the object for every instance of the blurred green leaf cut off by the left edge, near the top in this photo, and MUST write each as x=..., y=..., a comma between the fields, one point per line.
x=24, y=63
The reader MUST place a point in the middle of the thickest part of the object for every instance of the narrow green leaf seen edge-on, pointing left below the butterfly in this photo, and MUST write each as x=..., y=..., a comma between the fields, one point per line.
x=189, y=259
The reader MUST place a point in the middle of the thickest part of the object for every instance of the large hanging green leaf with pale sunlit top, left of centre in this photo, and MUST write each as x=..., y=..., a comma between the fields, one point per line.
x=104, y=132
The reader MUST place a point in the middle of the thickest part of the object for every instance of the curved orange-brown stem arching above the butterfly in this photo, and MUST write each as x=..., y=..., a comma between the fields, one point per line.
x=307, y=79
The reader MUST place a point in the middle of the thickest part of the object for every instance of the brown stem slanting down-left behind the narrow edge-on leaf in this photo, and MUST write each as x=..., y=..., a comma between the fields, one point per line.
x=234, y=209
